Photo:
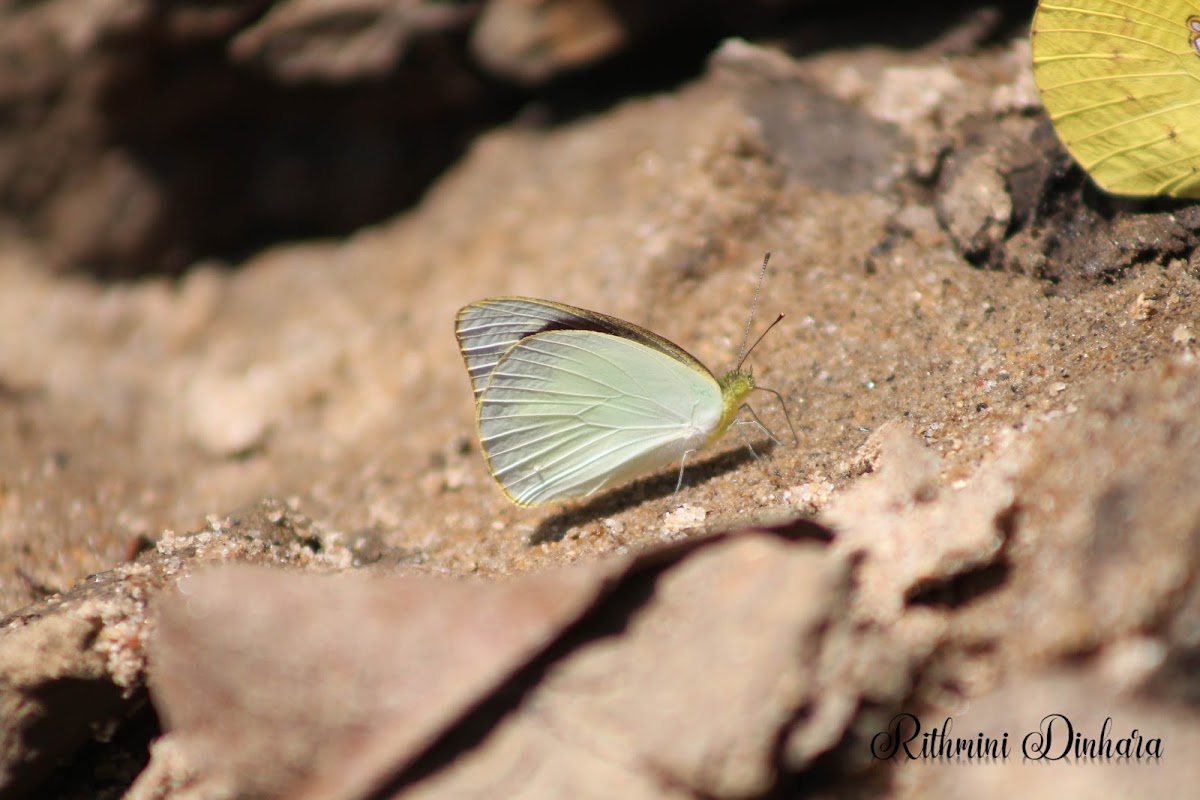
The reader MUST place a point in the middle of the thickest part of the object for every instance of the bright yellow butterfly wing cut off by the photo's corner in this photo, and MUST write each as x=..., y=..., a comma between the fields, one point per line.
x=1121, y=82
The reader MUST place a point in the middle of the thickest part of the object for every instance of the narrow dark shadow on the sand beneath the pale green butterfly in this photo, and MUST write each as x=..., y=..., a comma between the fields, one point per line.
x=652, y=488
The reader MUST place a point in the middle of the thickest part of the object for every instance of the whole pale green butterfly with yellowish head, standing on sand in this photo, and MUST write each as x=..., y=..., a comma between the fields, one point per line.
x=571, y=401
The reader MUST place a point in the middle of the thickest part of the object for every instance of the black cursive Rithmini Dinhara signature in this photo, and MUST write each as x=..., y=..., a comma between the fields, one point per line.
x=1055, y=739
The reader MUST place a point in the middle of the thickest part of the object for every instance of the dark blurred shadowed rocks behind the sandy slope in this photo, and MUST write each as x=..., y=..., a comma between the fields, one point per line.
x=140, y=137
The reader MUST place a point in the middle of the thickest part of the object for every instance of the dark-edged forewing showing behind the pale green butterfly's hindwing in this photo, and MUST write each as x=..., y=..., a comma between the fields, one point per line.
x=488, y=329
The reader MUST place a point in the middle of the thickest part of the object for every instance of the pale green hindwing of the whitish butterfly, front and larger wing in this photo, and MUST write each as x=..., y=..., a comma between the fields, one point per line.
x=567, y=413
